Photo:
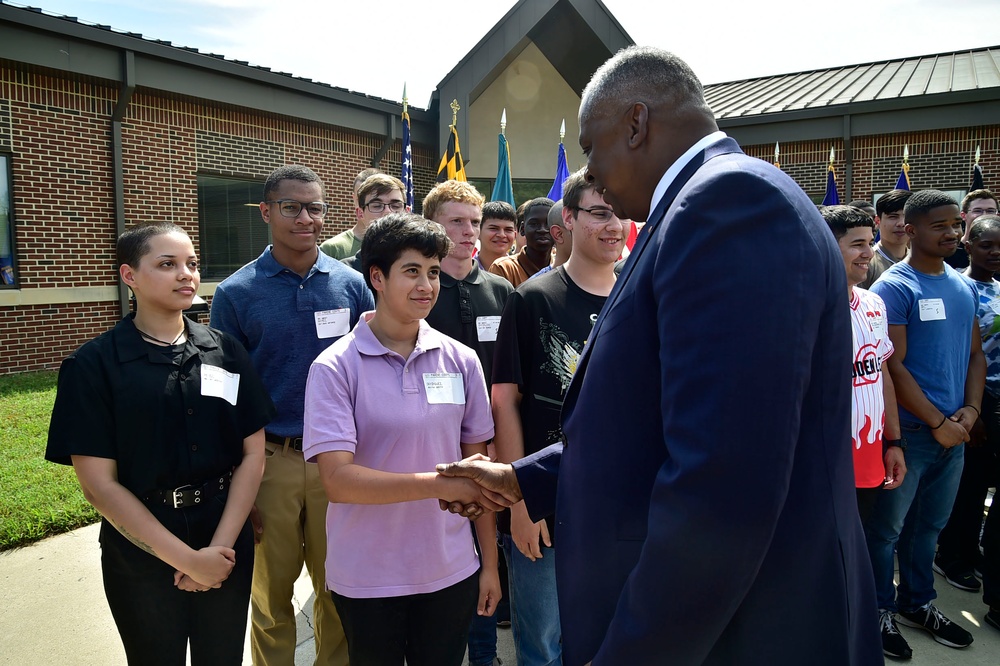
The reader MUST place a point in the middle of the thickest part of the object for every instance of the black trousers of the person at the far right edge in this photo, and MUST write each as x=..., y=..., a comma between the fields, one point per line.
x=958, y=543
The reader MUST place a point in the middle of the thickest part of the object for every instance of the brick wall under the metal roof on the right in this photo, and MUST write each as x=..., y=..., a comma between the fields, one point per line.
x=939, y=159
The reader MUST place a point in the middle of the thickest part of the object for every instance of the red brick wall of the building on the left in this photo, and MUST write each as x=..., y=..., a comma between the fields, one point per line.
x=57, y=129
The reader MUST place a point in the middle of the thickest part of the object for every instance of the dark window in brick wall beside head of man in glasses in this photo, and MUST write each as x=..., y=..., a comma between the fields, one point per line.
x=232, y=231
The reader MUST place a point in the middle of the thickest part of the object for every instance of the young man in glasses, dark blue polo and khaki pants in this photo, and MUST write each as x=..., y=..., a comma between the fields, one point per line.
x=287, y=306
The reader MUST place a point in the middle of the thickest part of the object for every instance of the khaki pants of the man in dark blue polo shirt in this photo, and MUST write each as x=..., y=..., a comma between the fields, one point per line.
x=292, y=507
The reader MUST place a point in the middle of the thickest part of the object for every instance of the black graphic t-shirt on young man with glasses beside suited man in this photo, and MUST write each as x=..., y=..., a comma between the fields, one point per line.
x=545, y=324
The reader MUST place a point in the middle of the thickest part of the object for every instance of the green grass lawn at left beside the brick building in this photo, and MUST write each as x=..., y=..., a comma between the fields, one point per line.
x=37, y=498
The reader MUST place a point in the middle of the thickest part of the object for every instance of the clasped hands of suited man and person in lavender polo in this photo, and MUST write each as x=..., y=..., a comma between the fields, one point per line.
x=480, y=485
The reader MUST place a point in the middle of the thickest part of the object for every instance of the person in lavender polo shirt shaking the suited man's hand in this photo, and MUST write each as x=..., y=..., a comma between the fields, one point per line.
x=384, y=404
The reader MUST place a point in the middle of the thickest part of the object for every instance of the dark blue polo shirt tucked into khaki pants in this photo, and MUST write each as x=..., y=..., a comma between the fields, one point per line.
x=285, y=320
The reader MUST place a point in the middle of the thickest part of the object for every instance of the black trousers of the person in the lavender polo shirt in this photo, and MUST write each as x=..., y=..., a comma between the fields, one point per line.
x=424, y=629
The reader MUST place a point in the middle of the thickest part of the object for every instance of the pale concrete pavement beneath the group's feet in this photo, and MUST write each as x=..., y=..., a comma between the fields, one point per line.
x=53, y=611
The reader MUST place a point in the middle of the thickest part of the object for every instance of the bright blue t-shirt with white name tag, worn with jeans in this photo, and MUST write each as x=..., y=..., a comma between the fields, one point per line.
x=938, y=312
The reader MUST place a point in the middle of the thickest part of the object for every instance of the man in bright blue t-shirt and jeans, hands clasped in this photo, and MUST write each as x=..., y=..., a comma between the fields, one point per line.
x=938, y=371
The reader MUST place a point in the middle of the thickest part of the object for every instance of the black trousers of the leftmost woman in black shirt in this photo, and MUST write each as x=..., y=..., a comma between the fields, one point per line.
x=155, y=619
